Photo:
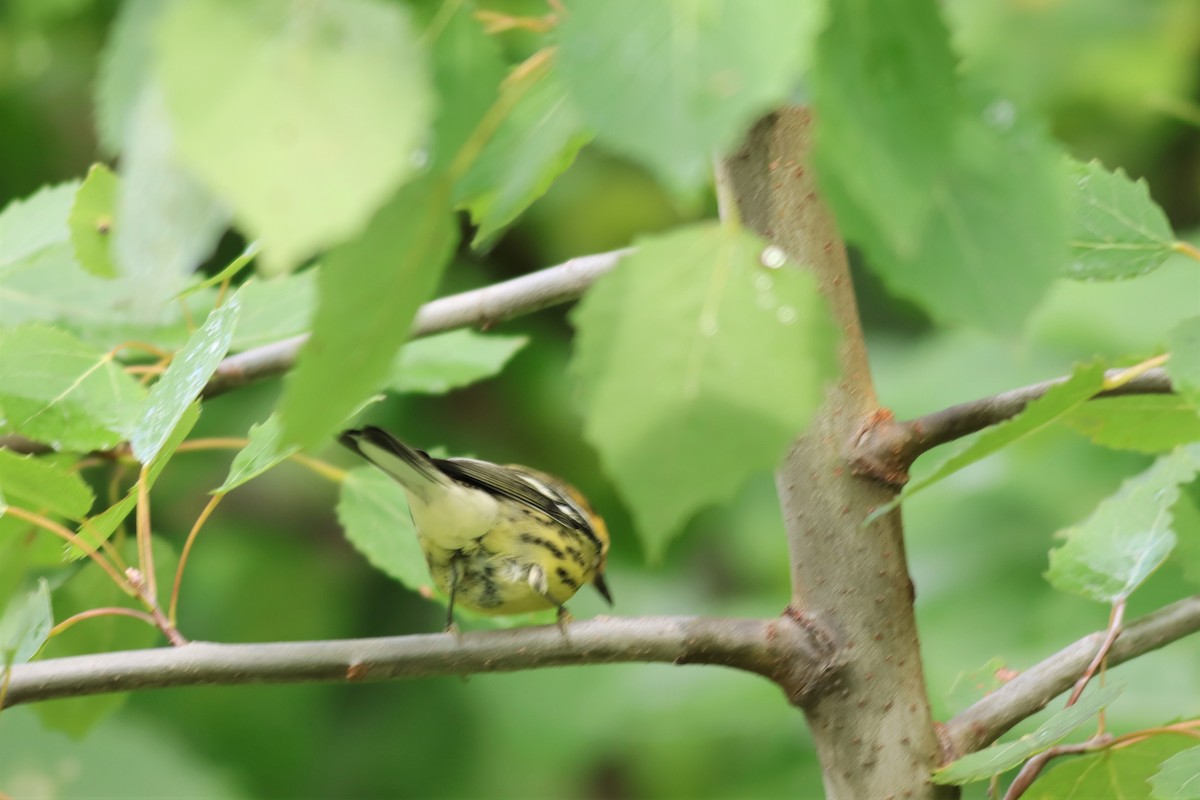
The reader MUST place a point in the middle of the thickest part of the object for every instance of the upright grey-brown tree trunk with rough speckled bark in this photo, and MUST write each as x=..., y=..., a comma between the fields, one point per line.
x=875, y=733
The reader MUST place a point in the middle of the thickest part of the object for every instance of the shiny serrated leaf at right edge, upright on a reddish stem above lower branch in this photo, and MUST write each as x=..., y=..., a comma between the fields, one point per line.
x=1129, y=537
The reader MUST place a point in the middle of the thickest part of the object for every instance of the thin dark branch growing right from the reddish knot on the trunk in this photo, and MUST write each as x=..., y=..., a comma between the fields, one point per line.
x=887, y=448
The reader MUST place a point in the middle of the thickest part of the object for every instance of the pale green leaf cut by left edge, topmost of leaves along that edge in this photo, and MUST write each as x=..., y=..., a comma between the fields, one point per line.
x=32, y=226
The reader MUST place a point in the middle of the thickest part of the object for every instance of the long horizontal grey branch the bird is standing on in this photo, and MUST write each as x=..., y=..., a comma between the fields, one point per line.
x=779, y=649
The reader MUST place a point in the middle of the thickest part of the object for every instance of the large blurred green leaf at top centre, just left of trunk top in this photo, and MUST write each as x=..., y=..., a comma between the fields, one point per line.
x=686, y=81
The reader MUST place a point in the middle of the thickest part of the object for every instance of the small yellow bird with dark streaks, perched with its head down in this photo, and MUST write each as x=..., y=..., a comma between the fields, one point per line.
x=499, y=540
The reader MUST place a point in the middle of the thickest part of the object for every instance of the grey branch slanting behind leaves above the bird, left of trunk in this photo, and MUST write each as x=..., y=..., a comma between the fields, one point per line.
x=478, y=309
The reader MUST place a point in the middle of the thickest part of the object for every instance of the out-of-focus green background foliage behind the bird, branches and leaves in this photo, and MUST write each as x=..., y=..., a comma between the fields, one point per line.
x=1114, y=80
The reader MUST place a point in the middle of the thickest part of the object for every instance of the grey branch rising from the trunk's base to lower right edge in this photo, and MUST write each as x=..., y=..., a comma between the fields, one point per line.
x=1033, y=690
